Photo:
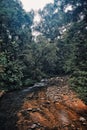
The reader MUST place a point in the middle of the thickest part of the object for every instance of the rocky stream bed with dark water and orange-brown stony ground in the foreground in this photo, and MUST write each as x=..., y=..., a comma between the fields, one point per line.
x=54, y=107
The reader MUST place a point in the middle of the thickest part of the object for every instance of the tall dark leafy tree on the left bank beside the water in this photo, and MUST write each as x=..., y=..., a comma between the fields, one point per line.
x=14, y=23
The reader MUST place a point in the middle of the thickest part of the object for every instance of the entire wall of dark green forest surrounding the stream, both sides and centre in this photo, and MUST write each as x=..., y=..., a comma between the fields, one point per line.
x=54, y=46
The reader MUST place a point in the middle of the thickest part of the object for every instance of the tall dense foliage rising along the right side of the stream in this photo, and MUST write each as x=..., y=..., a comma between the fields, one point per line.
x=65, y=23
